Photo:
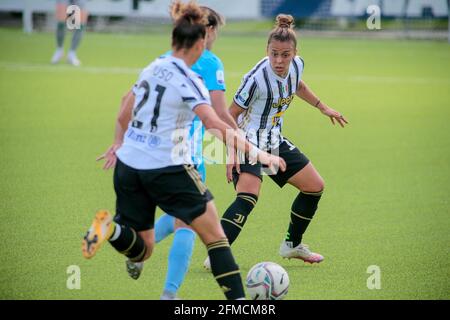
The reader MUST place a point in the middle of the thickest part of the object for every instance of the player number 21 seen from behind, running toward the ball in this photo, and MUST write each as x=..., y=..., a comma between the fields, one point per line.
x=153, y=163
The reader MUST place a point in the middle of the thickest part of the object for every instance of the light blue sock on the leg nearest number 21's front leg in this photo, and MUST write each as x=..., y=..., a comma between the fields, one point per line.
x=179, y=259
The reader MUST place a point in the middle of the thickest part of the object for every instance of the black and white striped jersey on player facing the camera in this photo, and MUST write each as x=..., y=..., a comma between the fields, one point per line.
x=265, y=97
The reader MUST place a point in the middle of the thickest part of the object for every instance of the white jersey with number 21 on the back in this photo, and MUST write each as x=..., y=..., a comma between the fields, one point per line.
x=166, y=94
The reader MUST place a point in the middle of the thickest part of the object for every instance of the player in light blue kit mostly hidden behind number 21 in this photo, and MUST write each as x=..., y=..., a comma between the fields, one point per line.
x=210, y=68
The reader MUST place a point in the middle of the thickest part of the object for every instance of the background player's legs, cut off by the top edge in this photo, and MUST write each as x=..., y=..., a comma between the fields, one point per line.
x=61, y=16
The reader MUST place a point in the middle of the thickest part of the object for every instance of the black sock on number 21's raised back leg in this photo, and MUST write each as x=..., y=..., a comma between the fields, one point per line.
x=129, y=243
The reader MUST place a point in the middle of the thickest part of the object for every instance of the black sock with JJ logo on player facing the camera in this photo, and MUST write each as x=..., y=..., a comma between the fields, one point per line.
x=235, y=216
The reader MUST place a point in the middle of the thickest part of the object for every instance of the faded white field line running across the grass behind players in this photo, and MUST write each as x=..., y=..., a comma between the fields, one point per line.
x=42, y=67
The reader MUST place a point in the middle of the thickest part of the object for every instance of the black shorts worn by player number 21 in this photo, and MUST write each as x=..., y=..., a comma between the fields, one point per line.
x=177, y=190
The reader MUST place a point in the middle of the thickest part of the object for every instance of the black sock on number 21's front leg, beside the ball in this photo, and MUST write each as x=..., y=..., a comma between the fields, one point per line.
x=225, y=269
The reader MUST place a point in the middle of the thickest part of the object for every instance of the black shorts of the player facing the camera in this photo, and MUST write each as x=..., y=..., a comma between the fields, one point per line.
x=295, y=161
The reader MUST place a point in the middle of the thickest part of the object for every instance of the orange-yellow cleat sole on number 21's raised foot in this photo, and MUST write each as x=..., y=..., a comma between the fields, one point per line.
x=100, y=230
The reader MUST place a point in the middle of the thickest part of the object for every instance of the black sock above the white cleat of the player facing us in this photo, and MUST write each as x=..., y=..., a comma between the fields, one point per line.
x=302, y=211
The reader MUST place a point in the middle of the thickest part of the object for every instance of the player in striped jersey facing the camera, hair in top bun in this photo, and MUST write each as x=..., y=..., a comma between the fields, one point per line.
x=258, y=107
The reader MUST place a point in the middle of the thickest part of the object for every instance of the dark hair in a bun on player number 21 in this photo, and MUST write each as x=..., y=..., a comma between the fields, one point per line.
x=190, y=24
